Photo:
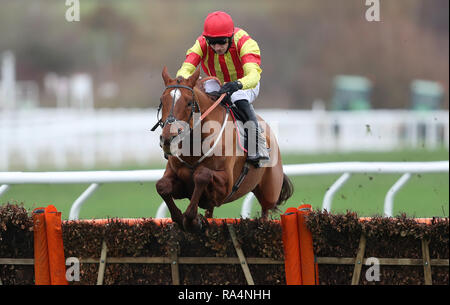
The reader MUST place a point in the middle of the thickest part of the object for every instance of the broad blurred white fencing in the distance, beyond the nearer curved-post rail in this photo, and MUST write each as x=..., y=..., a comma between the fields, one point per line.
x=66, y=138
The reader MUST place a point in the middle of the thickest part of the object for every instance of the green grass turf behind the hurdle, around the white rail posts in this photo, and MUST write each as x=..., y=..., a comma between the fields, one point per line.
x=425, y=195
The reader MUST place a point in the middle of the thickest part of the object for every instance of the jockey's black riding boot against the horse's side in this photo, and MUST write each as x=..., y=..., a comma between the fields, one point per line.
x=261, y=152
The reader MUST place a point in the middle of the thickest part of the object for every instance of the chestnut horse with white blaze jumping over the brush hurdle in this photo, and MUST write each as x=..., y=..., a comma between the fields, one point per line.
x=208, y=180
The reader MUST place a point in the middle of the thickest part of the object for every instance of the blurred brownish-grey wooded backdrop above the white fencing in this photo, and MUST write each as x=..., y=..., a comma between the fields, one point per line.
x=304, y=44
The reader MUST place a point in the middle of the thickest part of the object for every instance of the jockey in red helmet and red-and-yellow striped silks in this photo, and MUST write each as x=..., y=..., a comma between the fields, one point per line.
x=232, y=56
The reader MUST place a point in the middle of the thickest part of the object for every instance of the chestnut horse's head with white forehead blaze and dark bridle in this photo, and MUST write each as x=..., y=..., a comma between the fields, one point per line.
x=178, y=106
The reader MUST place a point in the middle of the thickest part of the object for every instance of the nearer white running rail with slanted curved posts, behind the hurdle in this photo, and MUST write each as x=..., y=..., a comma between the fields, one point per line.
x=96, y=178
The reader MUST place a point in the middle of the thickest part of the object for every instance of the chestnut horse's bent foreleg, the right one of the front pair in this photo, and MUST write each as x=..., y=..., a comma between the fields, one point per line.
x=202, y=177
